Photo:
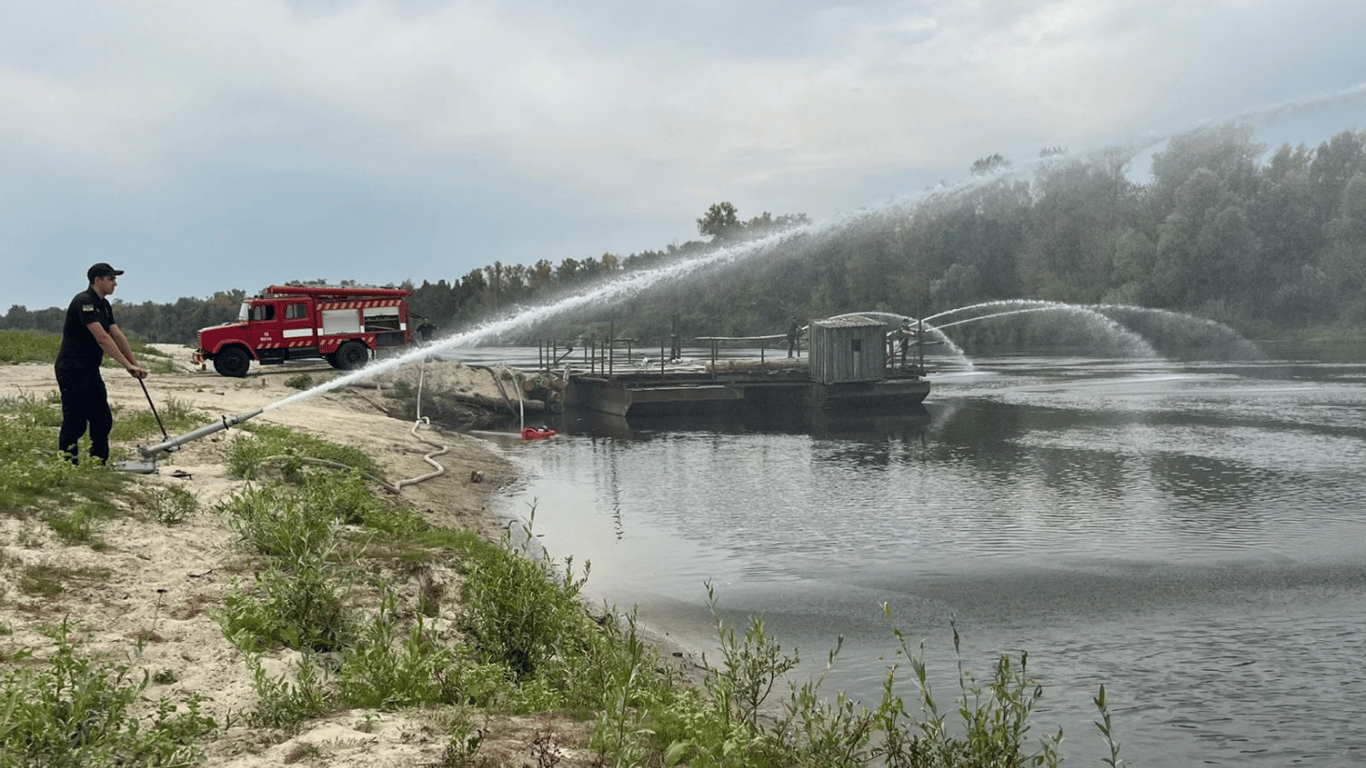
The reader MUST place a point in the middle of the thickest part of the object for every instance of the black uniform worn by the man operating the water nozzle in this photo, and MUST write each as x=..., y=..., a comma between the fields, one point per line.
x=84, y=398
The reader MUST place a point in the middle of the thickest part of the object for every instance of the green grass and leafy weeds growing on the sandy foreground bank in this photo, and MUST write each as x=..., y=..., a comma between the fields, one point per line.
x=329, y=551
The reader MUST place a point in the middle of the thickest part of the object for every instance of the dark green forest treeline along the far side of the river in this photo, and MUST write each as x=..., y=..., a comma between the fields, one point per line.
x=1266, y=243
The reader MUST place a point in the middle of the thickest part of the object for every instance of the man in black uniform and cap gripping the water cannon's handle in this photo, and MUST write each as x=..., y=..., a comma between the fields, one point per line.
x=88, y=334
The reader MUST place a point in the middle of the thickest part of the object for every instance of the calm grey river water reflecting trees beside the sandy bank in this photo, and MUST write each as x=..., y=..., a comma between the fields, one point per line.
x=1193, y=536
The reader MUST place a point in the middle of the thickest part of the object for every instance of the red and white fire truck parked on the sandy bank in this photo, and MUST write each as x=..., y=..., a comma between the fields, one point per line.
x=341, y=326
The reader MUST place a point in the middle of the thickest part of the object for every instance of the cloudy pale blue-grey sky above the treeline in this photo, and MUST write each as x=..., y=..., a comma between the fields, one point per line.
x=210, y=147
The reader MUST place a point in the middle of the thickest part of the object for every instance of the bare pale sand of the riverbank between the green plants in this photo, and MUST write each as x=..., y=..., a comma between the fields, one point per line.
x=169, y=579
